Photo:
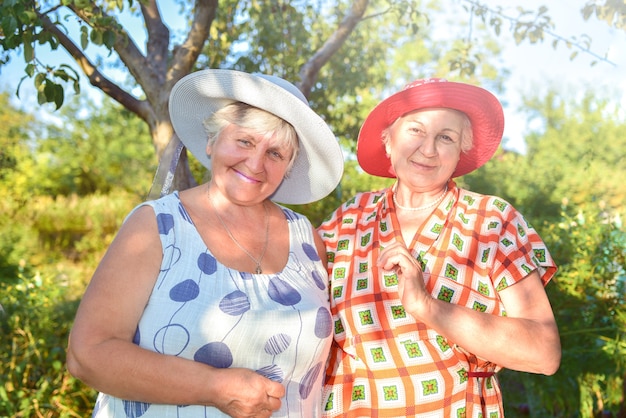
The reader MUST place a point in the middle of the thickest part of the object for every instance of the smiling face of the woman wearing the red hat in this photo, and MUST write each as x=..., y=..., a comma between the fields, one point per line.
x=424, y=146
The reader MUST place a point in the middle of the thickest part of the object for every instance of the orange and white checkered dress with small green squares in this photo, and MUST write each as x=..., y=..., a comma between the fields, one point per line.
x=385, y=363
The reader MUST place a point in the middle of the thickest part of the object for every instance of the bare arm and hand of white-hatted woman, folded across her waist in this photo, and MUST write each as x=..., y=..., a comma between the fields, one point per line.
x=101, y=352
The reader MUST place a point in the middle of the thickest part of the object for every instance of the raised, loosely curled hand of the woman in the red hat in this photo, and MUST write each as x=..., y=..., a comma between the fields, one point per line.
x=413, y=295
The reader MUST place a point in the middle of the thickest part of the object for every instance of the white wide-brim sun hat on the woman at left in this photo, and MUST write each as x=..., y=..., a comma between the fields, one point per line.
x=318, y=167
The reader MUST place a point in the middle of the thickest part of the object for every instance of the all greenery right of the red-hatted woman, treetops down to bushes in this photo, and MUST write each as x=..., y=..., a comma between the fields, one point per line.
x=569, y=186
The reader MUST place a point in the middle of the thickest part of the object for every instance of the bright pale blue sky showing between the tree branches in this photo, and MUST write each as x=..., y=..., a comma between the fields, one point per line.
x=533, y=68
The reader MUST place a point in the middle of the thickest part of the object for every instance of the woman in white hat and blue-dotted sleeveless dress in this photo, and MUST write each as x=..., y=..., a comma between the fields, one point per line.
x=213, y=301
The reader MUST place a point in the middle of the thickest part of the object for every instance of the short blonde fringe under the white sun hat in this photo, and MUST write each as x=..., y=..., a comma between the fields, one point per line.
x=250, y=117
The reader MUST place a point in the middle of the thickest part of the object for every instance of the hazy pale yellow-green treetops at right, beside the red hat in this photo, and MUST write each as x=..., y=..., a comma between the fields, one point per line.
x=576, y=154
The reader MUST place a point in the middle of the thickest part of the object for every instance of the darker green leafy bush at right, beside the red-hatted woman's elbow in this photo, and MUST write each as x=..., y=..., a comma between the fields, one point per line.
x=589, y=300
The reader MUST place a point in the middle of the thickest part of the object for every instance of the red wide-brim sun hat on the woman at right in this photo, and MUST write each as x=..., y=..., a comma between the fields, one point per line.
x=482, y=108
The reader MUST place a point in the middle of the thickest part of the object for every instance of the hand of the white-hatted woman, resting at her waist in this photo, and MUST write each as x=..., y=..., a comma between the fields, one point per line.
x=245, y=393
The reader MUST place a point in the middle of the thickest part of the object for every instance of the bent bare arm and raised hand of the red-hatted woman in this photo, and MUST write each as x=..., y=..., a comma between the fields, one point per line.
x=527, y=339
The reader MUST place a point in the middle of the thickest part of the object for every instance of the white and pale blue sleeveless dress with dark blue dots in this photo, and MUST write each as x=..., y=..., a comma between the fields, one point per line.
x=276, y=324
